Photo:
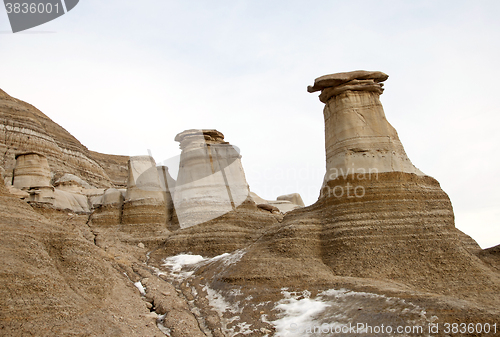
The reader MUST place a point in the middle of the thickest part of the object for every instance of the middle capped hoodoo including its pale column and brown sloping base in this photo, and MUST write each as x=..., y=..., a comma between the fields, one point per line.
x=212, y=200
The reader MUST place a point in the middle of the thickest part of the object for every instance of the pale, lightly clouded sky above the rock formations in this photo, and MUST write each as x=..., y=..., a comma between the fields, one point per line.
x=124, y=77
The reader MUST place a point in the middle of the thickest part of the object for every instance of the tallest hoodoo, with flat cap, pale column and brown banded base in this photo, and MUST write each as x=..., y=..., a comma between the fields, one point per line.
x=382, y=217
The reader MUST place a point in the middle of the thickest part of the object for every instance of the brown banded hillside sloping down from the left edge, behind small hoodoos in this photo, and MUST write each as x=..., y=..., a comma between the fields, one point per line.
x=24, y=128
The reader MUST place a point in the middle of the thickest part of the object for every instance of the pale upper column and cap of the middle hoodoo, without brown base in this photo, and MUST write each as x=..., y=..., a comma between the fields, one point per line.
x=211, y=180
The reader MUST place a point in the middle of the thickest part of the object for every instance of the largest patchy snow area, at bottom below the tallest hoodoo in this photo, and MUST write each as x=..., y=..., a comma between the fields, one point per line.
x=333, y=310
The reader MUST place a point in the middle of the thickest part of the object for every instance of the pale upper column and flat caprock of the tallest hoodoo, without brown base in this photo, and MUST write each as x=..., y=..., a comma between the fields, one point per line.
x=358, y=137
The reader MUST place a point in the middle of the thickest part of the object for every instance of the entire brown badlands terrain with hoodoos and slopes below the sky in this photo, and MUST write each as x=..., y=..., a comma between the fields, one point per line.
x=106, y=245
